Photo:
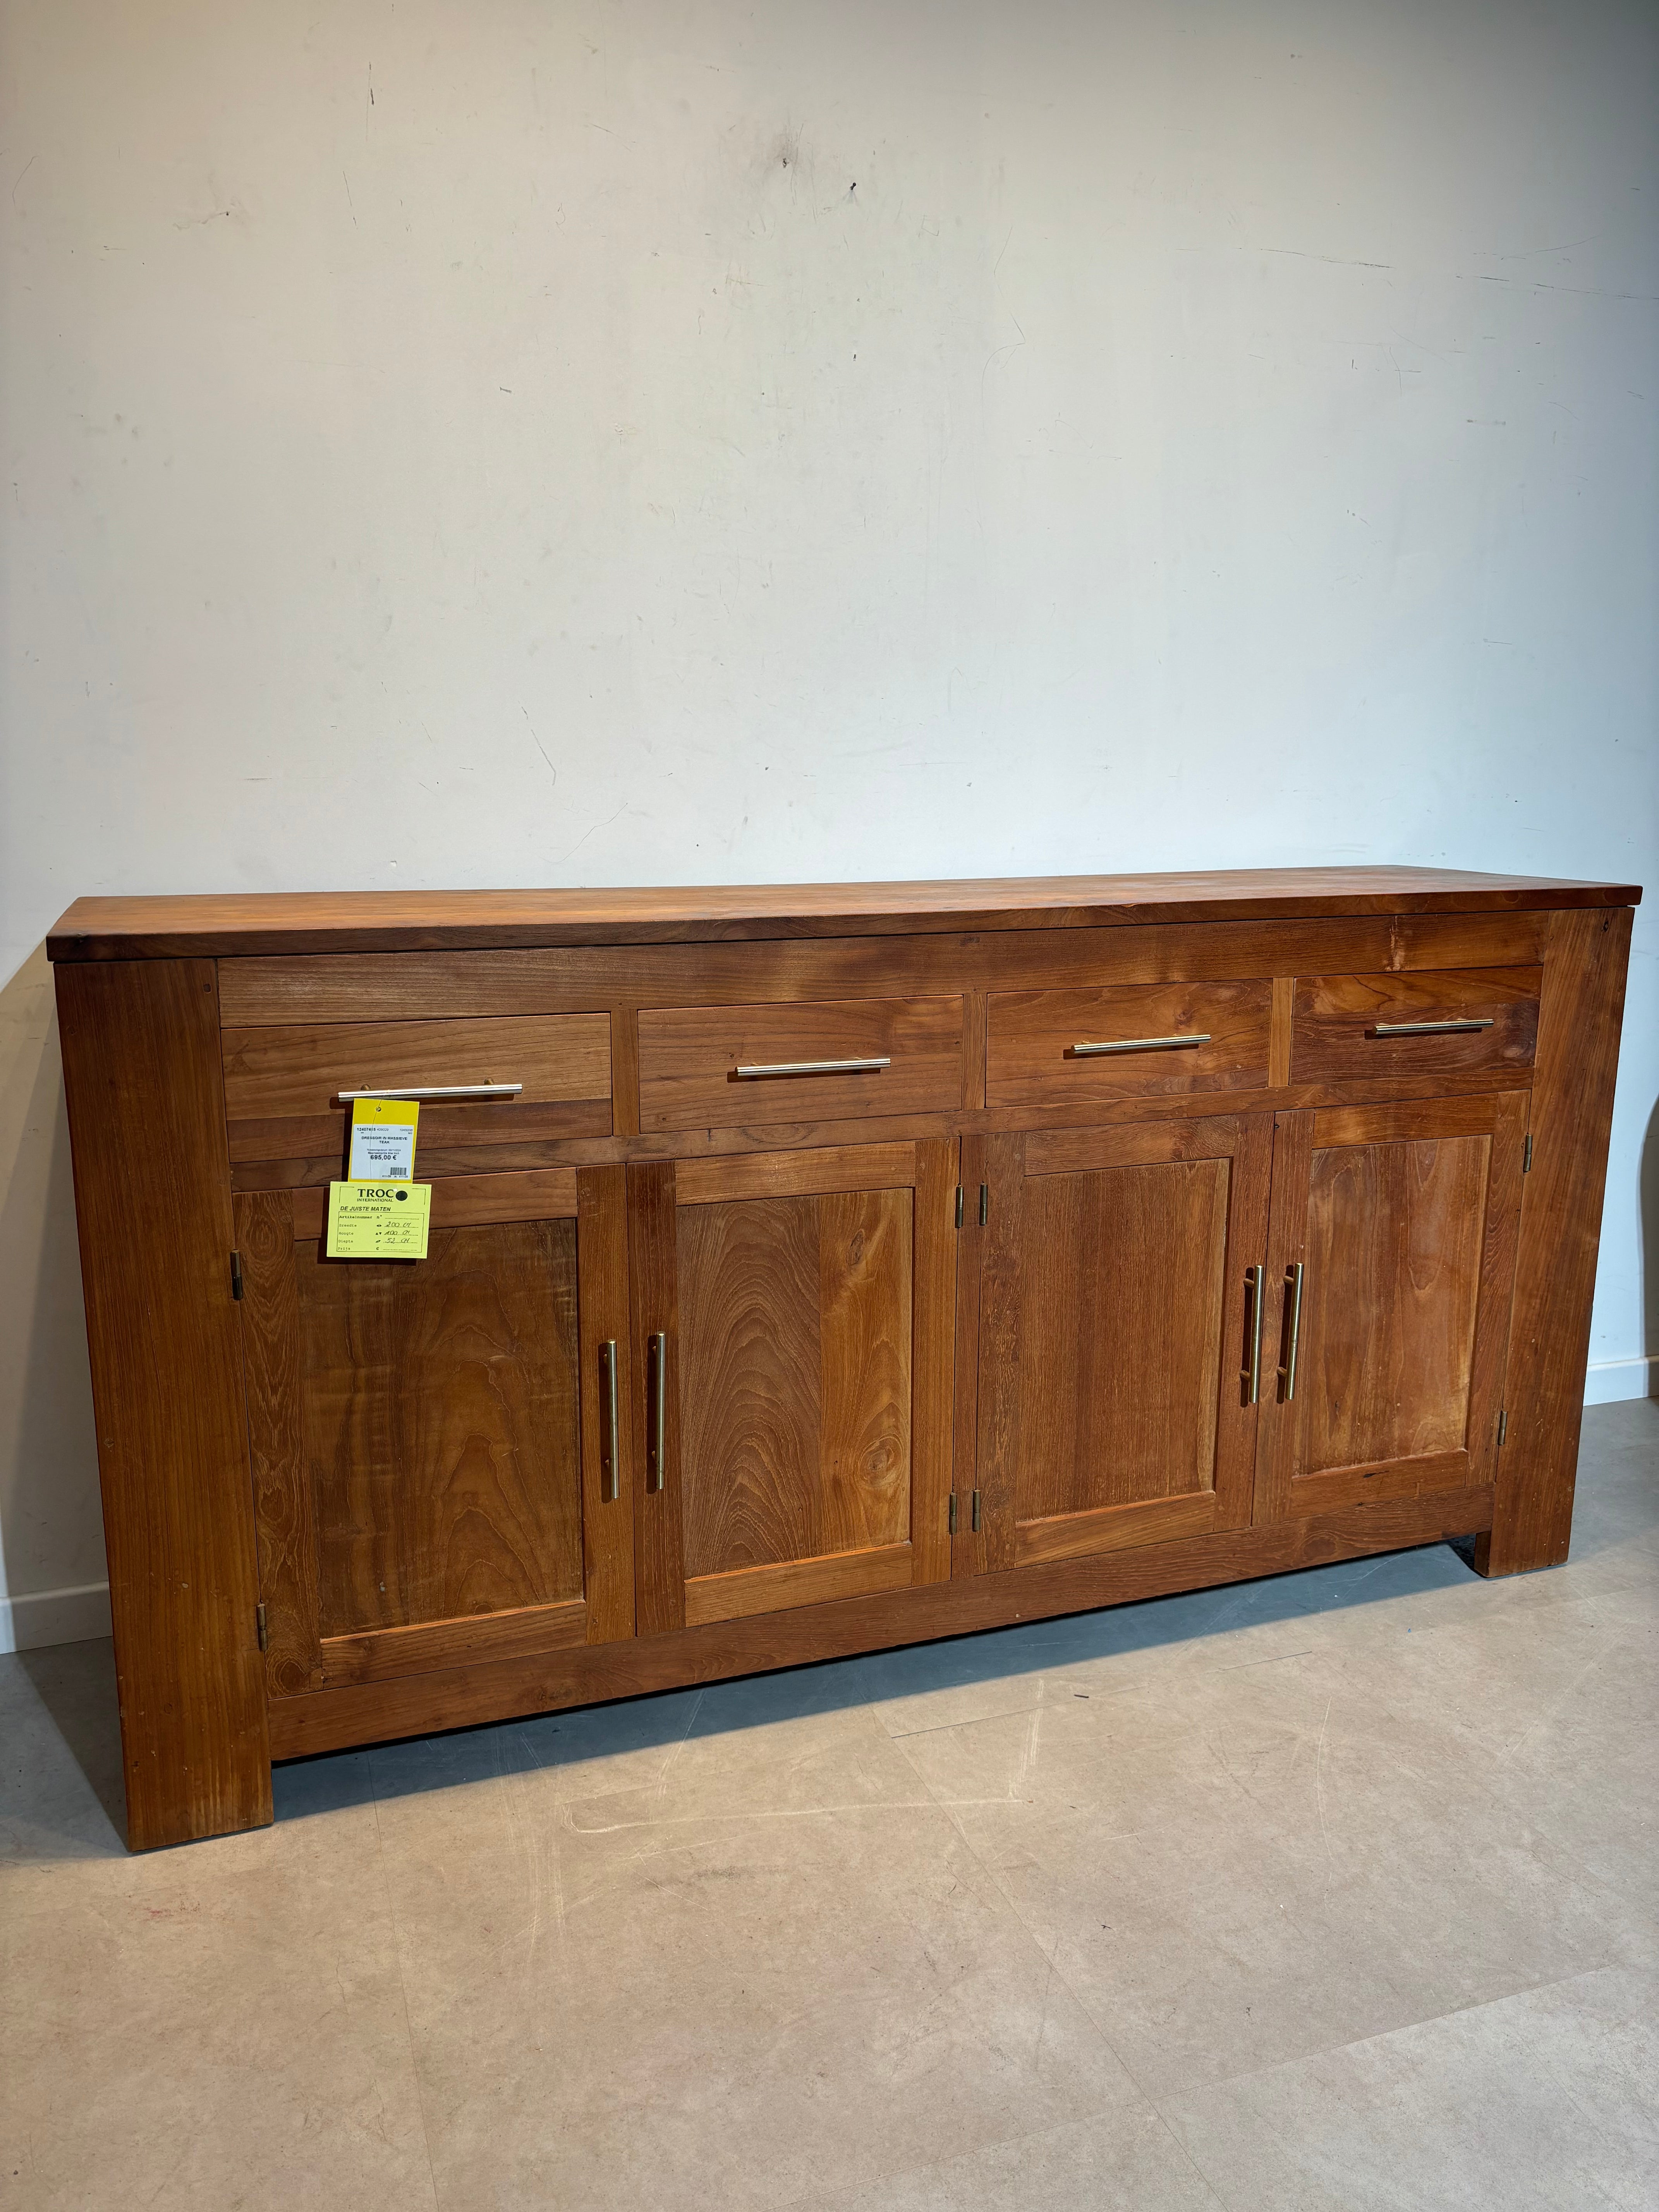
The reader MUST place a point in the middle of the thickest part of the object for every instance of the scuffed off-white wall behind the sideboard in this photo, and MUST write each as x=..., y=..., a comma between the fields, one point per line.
x=618, y=441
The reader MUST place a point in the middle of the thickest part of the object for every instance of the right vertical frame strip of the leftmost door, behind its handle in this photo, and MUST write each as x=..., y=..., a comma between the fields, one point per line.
x=607, y=1523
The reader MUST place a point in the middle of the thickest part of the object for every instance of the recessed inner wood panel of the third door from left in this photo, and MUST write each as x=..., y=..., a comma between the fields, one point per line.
x=1120, y=1337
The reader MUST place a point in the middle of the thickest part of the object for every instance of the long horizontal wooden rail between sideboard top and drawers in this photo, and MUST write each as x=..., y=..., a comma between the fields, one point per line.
x=366, y=988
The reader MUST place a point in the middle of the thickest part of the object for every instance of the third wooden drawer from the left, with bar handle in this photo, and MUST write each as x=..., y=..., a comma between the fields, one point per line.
x=1043, y=1047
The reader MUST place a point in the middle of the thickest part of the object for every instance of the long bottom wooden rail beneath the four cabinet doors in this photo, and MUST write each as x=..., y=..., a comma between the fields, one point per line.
x=596, y=1673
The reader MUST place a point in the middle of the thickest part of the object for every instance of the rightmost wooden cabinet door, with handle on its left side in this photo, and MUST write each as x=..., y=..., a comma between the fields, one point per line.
x=1390, y=1282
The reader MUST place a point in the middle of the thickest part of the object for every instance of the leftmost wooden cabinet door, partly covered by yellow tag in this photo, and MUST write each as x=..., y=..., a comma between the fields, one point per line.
x=432, y=1439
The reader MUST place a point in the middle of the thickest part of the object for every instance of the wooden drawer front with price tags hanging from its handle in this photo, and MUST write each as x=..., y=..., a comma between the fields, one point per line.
x=282, y=1085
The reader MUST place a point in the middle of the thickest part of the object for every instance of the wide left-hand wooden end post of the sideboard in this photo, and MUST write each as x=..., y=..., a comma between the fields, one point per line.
x=154, y=1202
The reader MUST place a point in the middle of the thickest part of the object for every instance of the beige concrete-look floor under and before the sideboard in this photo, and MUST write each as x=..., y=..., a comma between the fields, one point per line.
x=1326, y=1892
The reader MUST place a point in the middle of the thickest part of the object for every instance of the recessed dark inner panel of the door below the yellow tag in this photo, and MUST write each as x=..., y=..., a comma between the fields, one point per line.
x=441, y=1428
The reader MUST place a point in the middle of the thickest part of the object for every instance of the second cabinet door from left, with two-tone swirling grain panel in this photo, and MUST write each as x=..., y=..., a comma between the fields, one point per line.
x=793, y=1344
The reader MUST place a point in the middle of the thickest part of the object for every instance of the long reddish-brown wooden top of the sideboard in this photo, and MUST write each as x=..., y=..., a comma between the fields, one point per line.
x=242, y=924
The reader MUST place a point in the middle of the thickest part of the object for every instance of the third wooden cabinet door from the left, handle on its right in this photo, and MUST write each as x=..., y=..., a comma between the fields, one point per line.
x=1118, y=1335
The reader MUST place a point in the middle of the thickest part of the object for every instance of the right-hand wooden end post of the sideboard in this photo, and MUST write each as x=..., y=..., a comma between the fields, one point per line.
x=1550, y=1342
